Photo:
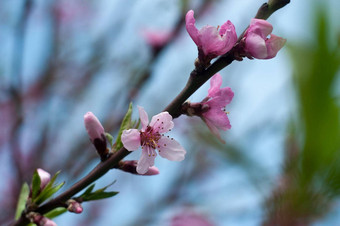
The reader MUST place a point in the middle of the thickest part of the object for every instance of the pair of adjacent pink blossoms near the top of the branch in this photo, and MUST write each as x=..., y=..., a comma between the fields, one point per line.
x=212, y=42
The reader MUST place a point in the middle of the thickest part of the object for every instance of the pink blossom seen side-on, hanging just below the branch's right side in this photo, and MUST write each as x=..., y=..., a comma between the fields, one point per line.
x=215, y=116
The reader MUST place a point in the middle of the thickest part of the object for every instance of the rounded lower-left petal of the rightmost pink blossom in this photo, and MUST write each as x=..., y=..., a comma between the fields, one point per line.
x=256, y=46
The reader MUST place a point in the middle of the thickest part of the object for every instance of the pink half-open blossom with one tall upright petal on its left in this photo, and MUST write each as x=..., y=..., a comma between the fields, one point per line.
x=211, y=41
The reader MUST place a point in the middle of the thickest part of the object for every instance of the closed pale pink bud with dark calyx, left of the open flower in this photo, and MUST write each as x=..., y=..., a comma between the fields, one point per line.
x=96, y=133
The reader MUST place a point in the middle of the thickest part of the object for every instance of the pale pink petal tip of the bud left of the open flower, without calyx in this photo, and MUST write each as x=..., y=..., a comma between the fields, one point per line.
x=93, y=126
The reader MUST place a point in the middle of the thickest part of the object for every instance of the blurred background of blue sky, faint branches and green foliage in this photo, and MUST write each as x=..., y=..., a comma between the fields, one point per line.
x=281, y=161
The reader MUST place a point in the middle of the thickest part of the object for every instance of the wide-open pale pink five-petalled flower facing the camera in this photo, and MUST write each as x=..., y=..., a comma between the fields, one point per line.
x=151, y=137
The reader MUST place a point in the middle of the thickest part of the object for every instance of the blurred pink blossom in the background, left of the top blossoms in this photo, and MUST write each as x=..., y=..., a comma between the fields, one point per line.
x=156, y=38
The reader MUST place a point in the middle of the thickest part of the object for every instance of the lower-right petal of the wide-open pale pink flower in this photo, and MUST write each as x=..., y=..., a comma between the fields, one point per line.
x=171, y=149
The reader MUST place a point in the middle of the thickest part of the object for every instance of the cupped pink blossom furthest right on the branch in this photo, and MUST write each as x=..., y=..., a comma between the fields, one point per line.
x=256, y=42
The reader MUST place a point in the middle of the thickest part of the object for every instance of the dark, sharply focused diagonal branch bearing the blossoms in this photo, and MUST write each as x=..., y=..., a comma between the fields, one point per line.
x=196, y=80
